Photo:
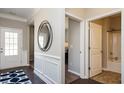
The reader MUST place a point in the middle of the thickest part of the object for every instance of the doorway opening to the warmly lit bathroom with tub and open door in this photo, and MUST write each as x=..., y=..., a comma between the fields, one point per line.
x=105, y=49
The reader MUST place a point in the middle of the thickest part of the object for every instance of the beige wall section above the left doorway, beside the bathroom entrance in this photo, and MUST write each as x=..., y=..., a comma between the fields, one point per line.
x=76, y=11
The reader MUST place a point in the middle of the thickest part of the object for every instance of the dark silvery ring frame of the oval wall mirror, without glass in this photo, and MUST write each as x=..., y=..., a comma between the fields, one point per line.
x=50, y=36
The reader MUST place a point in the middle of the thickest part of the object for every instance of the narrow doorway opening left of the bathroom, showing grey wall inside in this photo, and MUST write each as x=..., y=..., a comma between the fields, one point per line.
x=72, y=50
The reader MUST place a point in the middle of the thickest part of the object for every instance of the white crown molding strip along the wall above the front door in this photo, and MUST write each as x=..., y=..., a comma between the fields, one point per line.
x=12, y=17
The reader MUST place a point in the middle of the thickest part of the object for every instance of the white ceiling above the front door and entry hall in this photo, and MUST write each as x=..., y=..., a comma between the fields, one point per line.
x=20, y=12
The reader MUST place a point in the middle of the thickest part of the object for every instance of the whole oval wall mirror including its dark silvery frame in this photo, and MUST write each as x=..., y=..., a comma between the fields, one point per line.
x=45, y=36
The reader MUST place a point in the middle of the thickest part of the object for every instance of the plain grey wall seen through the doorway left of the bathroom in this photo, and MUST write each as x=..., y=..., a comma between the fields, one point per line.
x=74, y=46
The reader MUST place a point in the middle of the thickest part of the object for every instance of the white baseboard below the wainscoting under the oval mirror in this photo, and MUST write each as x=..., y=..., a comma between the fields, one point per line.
x=44, y=77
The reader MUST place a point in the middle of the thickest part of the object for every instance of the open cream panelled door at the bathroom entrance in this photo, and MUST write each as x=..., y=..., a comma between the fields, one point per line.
x=95, y=49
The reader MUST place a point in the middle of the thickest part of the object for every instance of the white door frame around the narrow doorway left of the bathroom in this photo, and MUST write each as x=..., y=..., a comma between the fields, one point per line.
x=82, y=25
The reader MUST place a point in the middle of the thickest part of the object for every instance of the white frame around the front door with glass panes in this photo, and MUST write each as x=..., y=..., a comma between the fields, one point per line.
x=21, y=43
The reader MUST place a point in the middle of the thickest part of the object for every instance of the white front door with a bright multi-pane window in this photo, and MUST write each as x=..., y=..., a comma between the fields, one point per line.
x=10, y=47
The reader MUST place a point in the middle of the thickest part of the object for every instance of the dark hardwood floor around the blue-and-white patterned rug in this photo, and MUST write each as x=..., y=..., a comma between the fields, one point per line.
x=29, y=72
